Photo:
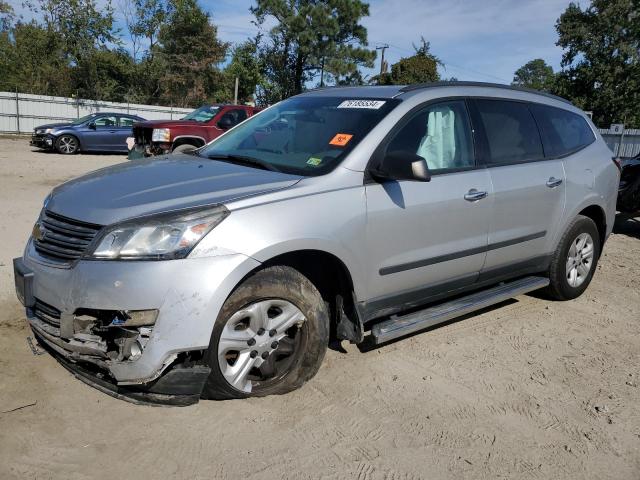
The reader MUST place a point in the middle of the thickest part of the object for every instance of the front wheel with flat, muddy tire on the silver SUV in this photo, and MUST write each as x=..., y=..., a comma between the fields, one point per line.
x=284, y=295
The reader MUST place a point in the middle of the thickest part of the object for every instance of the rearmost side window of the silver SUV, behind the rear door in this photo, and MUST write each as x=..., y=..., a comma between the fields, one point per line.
x=563, y=132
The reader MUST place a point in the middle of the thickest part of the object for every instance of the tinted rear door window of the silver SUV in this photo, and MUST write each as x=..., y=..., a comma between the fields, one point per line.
x=511, y=132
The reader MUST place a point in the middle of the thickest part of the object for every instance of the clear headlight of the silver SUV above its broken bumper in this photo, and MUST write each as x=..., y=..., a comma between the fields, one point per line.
x=159, y=237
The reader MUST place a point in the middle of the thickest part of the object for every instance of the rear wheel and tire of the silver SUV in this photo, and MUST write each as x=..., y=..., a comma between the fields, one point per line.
x=567, y=279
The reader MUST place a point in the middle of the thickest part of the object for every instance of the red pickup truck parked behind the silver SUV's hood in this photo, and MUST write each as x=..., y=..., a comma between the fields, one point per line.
x=193, y=131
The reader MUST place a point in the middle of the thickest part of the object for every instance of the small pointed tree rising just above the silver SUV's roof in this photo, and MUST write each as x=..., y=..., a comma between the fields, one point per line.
x=419, y=68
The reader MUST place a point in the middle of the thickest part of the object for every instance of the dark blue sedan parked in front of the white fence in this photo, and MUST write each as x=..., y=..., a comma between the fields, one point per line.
x=98, y=132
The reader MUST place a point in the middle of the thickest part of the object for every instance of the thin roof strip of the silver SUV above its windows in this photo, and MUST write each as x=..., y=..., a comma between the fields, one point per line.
x=393, y=91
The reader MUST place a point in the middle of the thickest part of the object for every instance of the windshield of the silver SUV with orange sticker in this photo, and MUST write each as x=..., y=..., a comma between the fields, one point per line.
x=305, y=135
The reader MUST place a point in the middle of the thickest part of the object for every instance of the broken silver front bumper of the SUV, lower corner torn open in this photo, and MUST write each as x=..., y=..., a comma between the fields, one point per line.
x=135, y=330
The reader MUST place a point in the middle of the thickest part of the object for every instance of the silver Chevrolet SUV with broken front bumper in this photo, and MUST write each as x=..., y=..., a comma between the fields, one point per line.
x=361, y=214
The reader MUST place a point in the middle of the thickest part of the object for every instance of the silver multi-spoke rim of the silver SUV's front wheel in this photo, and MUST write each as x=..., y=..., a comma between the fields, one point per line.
x=259, y=343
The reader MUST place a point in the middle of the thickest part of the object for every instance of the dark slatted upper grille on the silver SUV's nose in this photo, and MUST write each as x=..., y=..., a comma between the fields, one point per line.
x=62, y=238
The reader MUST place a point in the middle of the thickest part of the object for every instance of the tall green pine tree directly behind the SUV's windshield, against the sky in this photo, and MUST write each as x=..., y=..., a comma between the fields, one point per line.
x=309, y=37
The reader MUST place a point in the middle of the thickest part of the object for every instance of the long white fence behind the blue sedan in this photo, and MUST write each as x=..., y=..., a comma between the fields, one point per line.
x=22, y=112
